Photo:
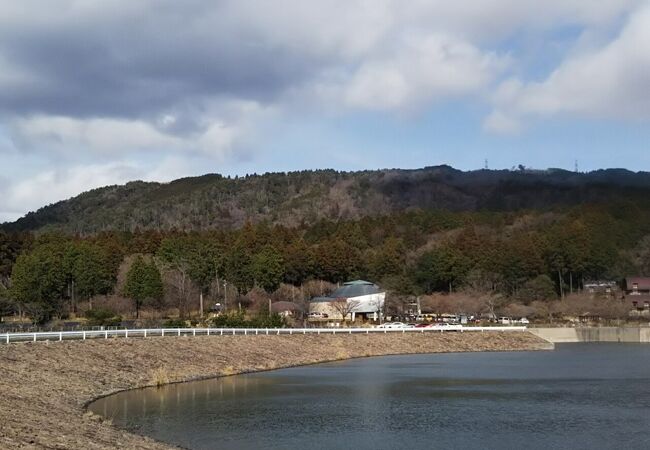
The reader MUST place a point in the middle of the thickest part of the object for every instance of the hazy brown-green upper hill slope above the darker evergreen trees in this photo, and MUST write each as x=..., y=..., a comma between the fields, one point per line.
x=213, y=201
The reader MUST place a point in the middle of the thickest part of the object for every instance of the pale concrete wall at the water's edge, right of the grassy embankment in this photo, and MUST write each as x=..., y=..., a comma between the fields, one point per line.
x=593, y=334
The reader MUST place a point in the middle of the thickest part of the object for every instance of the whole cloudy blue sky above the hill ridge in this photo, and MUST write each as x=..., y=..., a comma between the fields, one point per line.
x=97, y=93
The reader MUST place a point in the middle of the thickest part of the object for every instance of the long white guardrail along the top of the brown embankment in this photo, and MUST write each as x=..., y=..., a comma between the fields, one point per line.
x=7, y=338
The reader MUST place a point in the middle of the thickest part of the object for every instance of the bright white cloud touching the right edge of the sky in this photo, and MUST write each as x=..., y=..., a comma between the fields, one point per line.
x=611, y=82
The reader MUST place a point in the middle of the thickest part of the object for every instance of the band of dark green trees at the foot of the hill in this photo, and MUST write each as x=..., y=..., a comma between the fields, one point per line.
x=524, y=256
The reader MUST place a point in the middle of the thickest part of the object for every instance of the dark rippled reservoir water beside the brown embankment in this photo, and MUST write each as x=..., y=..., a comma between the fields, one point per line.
x=580, y=396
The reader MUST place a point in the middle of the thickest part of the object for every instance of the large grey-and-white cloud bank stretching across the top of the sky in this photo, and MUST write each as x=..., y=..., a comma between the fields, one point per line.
x=244, y=49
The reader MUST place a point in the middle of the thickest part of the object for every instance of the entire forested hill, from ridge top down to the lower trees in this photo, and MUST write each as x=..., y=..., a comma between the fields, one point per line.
x=507, y=237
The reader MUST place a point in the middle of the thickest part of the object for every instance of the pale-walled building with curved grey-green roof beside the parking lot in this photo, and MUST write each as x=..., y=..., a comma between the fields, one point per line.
x=353, y=299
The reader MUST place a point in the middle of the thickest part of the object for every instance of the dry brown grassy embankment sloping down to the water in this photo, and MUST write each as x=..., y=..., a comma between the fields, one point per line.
x=46, y=388
